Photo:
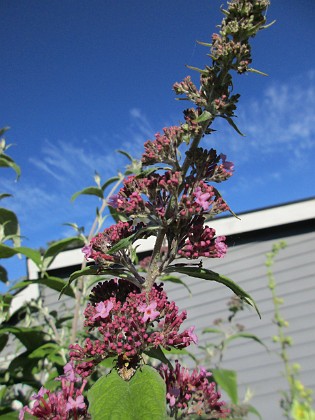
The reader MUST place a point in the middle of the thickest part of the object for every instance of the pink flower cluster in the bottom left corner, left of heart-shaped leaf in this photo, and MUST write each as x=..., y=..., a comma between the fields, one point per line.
x=60, y=405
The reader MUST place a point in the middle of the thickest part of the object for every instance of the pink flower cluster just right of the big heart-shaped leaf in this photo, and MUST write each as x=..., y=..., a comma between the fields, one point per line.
x=192, y=393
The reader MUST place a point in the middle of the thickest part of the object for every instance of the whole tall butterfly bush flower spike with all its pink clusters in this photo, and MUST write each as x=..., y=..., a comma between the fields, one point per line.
x=172, y=199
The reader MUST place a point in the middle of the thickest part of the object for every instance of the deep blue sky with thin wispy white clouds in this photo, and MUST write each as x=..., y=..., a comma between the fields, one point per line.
x=81, y=79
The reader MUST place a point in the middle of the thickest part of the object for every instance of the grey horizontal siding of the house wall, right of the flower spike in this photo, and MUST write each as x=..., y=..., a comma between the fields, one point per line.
x=257, y=368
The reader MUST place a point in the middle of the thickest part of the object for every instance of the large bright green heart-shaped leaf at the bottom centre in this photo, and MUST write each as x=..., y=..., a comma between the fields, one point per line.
x=141, y=398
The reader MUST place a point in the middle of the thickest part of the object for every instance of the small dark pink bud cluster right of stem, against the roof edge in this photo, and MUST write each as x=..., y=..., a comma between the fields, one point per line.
x=201, y=242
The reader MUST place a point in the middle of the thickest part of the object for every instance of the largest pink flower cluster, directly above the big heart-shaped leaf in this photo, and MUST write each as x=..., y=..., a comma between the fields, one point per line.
x=128, y=327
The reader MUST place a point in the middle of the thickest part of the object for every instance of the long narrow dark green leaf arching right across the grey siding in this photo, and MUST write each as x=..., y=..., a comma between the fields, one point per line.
x=205, y=274
